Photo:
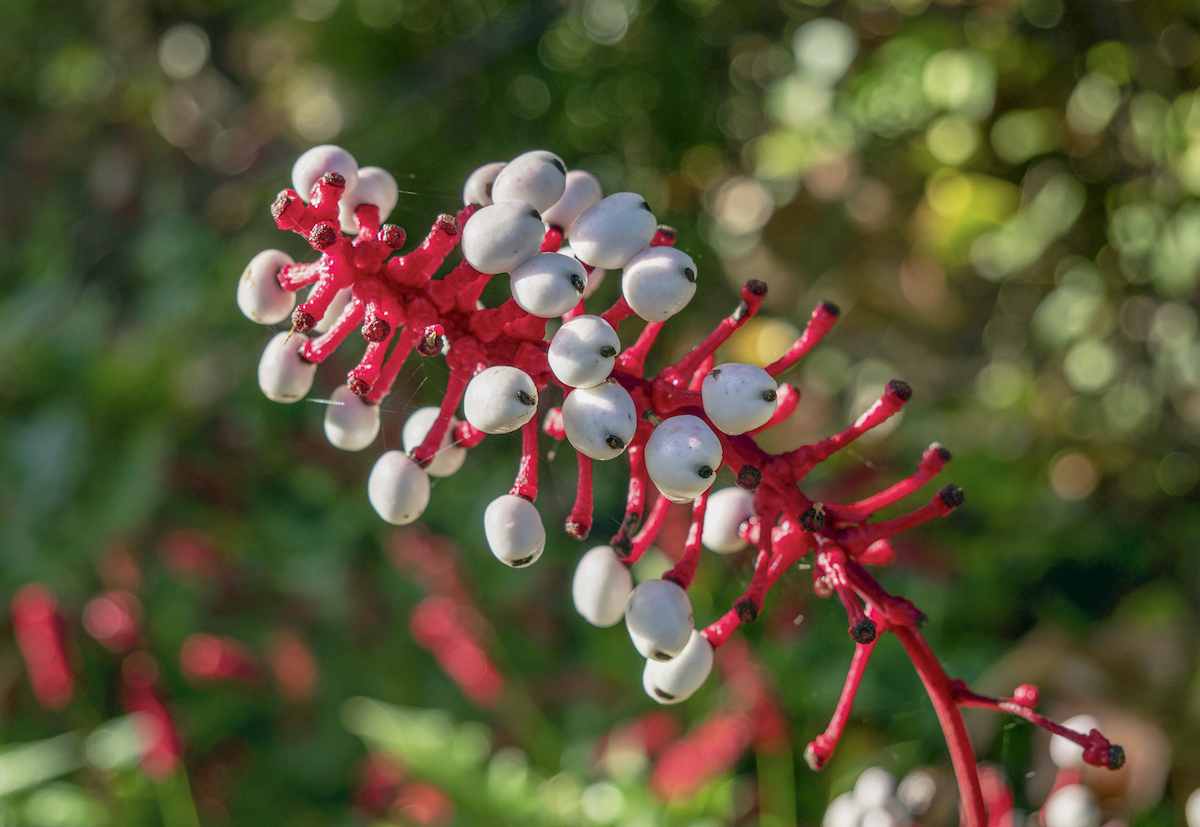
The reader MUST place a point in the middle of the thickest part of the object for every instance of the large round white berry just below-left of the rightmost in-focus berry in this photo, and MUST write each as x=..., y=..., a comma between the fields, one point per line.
x=682, y=458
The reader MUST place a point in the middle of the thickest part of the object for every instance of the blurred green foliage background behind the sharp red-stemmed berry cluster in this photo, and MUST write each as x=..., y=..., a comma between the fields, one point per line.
x=1004, y=197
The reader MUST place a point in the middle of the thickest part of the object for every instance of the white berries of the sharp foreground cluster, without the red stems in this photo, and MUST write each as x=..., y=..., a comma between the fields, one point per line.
x=515, y=205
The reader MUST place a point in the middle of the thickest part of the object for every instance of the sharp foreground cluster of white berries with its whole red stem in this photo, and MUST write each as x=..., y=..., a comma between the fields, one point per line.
x=677, y=429
